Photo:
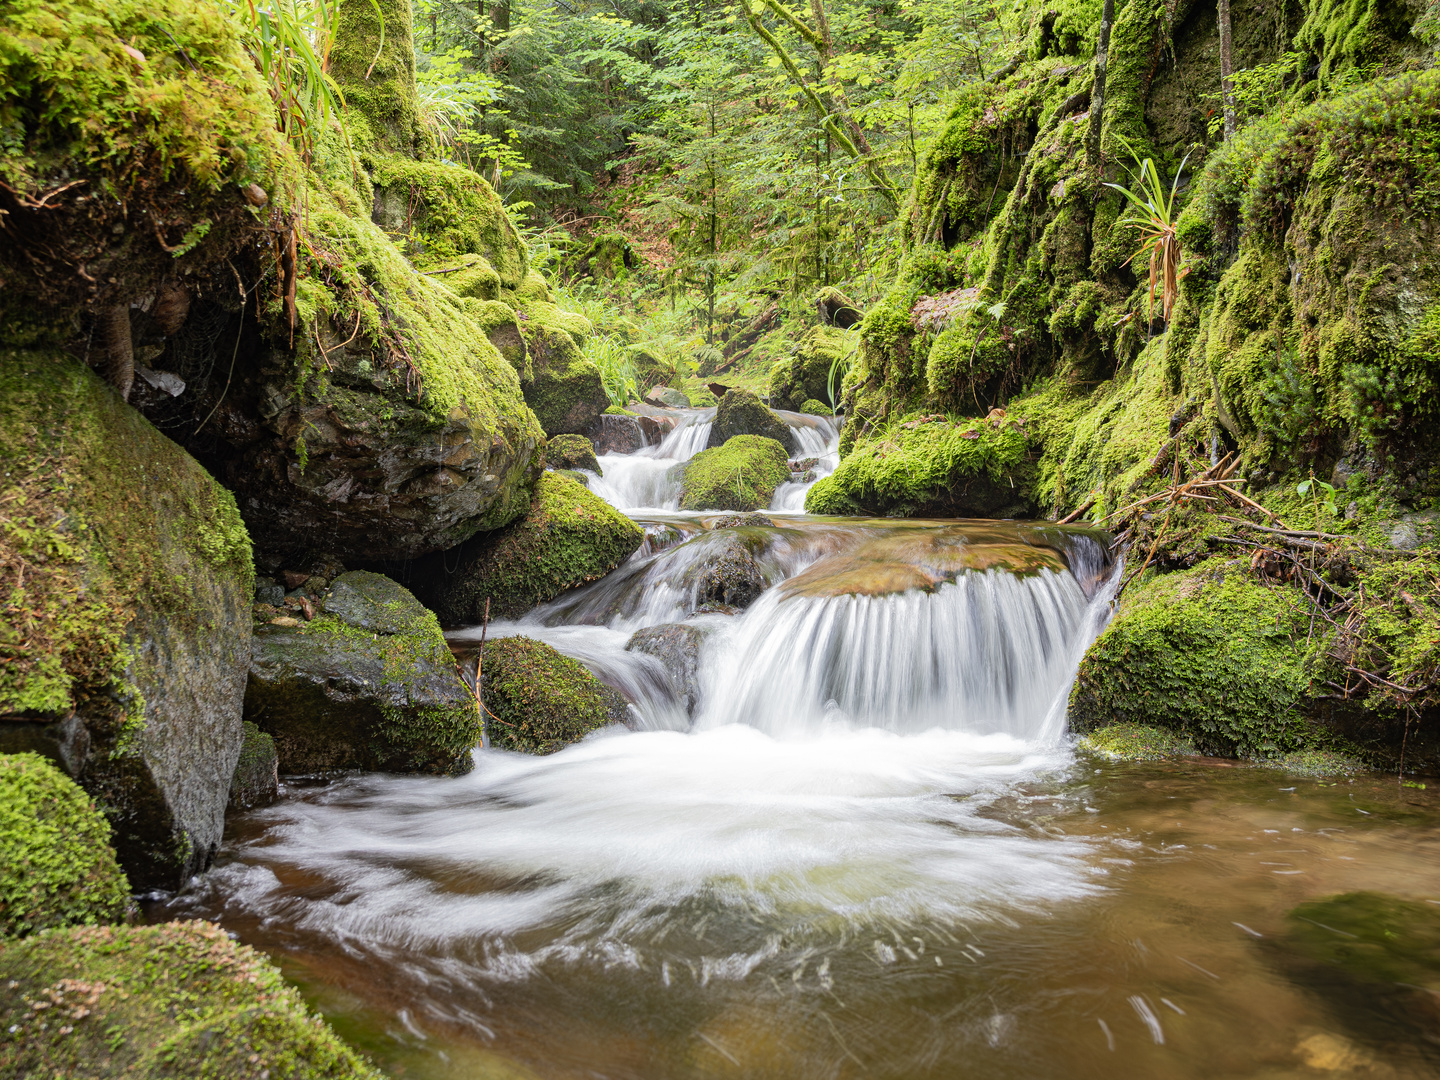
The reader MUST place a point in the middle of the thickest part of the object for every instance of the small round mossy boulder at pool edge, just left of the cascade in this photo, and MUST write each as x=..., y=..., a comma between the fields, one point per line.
x=541, y=699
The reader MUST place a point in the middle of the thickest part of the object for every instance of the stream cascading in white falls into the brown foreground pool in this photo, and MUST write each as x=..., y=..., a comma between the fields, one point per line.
x=862, y=847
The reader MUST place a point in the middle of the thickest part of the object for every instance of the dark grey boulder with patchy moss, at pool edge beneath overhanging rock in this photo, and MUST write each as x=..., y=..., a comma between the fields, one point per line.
x=365, y=685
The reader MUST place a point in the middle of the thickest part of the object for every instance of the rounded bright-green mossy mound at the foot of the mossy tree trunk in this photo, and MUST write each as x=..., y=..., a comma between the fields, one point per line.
x=446, y=212
